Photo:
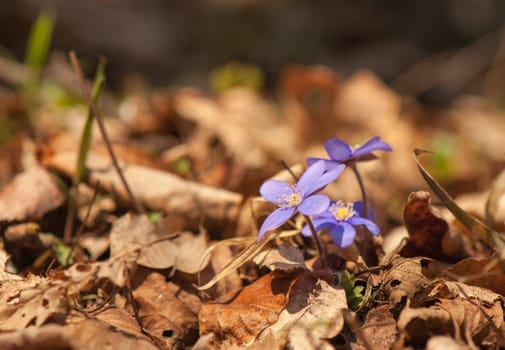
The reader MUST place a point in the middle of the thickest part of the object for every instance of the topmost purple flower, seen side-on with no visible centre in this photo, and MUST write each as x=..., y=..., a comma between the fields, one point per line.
x=340, y=152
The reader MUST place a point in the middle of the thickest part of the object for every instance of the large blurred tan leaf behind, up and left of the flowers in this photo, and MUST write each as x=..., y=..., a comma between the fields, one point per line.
x=248, y=126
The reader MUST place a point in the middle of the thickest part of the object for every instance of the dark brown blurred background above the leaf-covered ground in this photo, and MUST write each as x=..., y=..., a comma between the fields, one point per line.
x=433, y=50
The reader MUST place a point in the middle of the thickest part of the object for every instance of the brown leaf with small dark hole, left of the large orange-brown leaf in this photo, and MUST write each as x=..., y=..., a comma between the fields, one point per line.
x=168, y=311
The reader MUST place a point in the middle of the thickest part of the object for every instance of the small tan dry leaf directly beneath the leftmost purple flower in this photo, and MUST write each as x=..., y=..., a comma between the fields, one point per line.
x=284, y=258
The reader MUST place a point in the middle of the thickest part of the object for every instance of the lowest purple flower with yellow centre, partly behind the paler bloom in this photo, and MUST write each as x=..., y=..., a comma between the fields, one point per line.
x=341, y=219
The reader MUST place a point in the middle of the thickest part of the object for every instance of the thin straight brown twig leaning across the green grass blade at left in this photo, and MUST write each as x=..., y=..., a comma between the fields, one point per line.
x=98, y=116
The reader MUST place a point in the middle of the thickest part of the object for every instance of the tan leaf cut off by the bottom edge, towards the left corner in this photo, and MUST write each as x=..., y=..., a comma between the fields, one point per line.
x=111, y=328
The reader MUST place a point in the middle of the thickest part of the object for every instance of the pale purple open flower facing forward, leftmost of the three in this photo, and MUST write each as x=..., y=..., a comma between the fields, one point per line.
x=299, y=197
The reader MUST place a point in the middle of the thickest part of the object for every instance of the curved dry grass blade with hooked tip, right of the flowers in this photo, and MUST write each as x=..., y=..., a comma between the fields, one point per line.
x=480, y=230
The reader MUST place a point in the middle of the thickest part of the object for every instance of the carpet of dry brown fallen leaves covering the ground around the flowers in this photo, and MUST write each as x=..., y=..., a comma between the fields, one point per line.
x=190, y=273
